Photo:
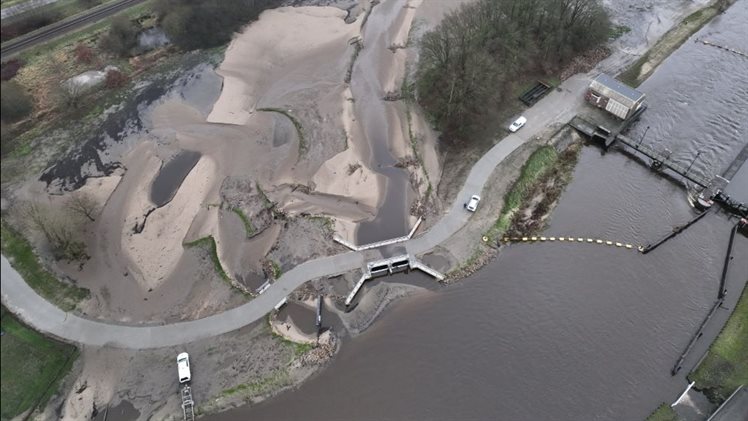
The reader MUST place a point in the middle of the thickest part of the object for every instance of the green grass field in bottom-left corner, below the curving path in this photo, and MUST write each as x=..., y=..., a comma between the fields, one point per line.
x=32, y=367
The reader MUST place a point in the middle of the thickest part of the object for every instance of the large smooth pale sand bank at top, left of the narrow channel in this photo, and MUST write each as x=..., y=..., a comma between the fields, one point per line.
x=284, y=44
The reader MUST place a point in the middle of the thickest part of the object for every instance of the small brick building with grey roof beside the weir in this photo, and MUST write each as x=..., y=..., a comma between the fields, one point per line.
x=614, y=96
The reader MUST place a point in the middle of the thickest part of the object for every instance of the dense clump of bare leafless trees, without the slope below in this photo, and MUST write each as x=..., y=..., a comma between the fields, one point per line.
x=469, y=61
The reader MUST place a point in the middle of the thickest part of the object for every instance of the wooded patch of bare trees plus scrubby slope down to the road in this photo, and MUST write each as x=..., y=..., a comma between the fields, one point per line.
x=473, y=63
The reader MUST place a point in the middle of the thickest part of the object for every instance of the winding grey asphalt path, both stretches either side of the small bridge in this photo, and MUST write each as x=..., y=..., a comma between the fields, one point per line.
x=558, y=107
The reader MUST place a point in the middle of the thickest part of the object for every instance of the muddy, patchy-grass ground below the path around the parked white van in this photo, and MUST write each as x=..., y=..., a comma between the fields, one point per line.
x=242, y=367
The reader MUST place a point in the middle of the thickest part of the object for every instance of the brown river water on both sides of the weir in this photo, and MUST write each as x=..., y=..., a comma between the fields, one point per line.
x=569, y=332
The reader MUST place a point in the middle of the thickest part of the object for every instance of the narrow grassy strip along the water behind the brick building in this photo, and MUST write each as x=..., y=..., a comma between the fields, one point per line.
x=641, y=69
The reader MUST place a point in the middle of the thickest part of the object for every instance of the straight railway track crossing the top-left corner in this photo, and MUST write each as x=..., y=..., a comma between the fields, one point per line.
x=56, y=29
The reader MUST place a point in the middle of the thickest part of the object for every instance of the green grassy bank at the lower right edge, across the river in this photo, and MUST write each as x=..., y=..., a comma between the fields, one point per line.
x=725, y=366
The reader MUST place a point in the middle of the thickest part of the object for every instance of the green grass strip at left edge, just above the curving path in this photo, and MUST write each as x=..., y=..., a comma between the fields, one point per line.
x=21, y=256
